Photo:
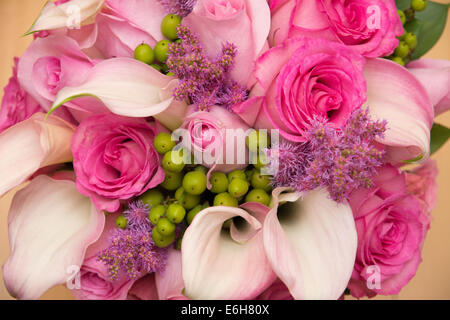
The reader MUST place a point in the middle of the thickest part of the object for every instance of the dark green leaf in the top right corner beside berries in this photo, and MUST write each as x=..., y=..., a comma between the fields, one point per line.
x=428, y=25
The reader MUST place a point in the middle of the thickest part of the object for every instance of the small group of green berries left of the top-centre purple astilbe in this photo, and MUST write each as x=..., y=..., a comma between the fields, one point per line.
x=157, y=56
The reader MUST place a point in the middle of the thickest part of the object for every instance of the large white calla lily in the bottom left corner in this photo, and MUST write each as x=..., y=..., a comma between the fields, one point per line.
x=50, y=227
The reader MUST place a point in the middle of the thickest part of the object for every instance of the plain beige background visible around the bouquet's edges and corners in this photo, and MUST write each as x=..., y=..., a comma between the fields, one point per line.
x=433, y=277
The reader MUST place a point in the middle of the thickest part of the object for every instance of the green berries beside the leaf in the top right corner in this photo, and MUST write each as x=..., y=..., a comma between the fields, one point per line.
x=408, y=41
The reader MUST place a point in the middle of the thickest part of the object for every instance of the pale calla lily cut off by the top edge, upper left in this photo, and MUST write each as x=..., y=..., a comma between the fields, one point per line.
x=65, y=15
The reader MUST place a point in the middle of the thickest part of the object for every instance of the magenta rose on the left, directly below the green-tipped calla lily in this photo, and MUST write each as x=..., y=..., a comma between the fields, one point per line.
x=114, y=159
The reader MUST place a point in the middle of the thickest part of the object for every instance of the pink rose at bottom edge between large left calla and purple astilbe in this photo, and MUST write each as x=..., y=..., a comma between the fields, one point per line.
x=95, y=283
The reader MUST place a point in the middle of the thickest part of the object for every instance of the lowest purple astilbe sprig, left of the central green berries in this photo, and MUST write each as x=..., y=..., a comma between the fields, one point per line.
x=132, y=249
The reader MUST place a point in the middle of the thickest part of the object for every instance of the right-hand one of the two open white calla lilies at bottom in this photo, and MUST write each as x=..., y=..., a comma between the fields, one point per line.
x=311, y=244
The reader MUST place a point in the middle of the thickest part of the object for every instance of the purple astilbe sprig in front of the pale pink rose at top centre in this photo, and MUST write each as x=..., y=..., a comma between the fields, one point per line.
x=203, y=82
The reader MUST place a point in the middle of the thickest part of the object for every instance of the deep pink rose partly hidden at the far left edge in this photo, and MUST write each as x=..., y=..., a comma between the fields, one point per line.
x=17, y=104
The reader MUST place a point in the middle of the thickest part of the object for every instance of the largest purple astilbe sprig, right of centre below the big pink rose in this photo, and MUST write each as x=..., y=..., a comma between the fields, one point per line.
x=341, y=160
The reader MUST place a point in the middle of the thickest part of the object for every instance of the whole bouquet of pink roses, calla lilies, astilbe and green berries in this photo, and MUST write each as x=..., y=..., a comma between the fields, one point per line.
x=223, y=149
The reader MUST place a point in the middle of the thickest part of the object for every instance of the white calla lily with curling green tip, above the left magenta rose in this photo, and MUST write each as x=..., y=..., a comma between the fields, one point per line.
x=126, y=86
